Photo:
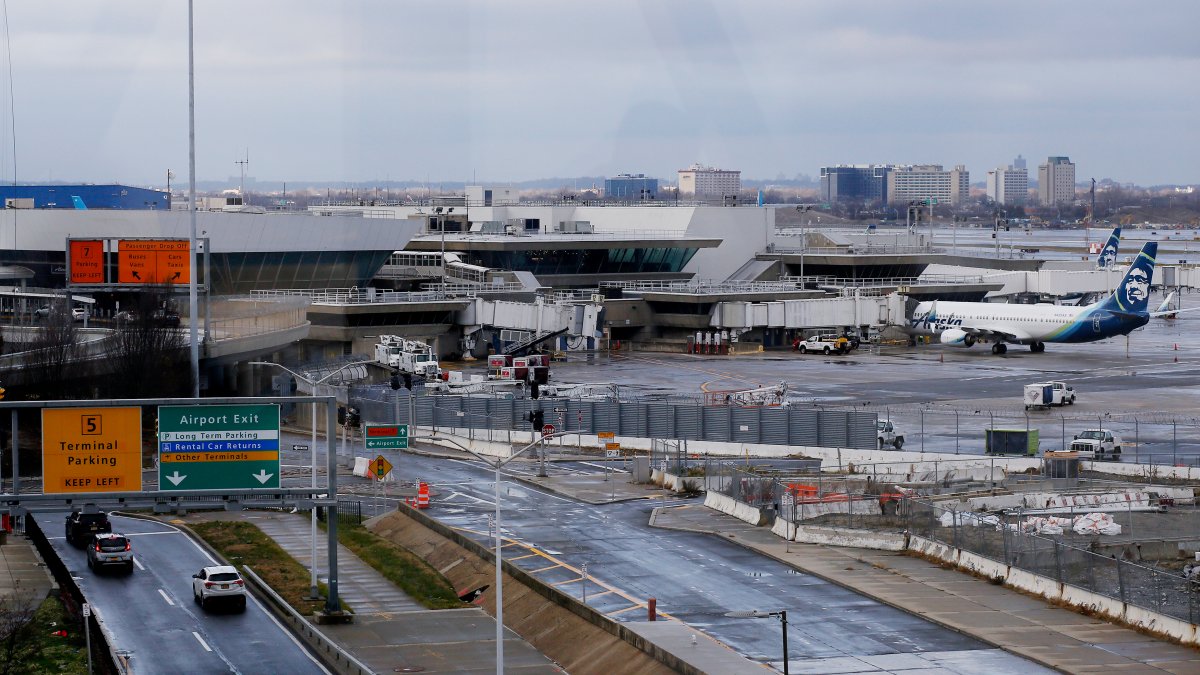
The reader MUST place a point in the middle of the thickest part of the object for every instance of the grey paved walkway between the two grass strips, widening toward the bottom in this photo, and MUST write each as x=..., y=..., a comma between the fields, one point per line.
x=392, y=632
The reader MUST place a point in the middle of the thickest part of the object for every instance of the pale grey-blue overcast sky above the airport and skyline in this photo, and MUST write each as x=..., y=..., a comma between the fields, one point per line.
x=448, y=91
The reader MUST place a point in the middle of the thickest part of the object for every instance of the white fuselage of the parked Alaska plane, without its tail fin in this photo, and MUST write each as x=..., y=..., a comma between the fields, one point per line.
x=1025, y=324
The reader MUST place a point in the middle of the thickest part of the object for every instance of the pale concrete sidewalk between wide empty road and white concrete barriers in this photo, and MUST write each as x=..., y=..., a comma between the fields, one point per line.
x=1016, y=623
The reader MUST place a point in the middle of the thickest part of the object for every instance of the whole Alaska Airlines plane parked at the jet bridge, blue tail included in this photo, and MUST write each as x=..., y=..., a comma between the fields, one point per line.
x=963, y=325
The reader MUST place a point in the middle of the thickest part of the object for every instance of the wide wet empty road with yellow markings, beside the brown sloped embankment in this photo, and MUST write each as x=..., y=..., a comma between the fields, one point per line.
x=697, y=578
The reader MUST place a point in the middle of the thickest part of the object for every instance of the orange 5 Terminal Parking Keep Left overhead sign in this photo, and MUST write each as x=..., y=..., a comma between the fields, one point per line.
x=92, y=450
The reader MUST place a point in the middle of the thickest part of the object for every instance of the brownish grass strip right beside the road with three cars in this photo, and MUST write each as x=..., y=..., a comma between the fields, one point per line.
x=243, y=543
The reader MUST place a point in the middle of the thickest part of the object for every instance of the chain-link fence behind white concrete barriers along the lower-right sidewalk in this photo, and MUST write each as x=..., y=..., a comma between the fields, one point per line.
x=1004, y=539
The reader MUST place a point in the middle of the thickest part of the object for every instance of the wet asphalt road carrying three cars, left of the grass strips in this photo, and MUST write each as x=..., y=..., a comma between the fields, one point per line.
x=153, y=618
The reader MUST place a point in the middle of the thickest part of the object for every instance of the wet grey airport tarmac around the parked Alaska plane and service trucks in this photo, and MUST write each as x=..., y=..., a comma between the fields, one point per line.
x=944, y=398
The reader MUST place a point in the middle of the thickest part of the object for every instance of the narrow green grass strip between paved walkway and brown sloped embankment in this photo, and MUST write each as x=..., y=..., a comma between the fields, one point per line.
x=400, y=566
